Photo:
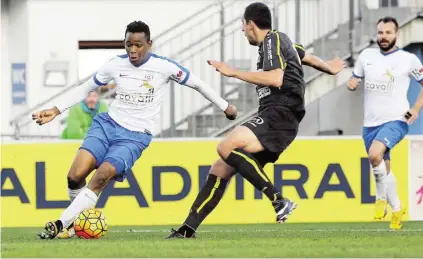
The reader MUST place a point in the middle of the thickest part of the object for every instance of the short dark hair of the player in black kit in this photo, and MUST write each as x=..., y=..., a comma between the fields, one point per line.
x=260, y=14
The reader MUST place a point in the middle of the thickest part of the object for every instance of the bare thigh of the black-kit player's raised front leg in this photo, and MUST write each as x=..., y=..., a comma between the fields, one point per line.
x=240, y=137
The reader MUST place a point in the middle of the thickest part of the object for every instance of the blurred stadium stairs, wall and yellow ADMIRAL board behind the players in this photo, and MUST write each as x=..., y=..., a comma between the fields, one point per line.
x=49, y=47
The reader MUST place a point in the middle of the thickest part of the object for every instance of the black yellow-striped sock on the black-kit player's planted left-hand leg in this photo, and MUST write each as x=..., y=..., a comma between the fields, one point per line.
x=207, y=199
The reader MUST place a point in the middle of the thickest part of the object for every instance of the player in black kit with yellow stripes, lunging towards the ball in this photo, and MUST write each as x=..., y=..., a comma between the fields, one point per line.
x=249, y=147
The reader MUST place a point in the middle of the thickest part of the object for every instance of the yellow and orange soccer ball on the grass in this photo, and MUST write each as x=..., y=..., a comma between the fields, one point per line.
x=90, y=224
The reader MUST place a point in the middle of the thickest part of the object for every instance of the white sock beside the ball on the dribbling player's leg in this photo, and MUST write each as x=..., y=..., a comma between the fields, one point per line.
x=86, y=199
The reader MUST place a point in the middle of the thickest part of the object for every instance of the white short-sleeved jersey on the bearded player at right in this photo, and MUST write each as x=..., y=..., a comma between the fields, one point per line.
x=386, y=81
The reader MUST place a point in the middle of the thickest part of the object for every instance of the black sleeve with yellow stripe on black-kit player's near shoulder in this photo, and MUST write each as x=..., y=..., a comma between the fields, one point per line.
x=273, y=56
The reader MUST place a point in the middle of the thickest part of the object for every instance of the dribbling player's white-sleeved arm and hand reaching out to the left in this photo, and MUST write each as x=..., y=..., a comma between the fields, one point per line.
x=75, y=96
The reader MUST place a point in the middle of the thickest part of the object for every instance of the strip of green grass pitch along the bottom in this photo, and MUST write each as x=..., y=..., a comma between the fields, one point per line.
x=267, y=240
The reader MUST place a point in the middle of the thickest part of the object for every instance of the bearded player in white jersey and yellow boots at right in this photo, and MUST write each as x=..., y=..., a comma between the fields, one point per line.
x=387, y=71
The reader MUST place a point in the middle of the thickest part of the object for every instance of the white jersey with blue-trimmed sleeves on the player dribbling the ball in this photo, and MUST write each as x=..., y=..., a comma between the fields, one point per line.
x=139, y=89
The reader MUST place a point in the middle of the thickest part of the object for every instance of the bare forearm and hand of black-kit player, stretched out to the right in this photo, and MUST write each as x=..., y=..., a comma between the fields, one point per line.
x=331, y=67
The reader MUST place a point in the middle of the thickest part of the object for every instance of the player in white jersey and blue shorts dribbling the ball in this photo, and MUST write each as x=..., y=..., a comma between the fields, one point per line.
x=116, y=139
